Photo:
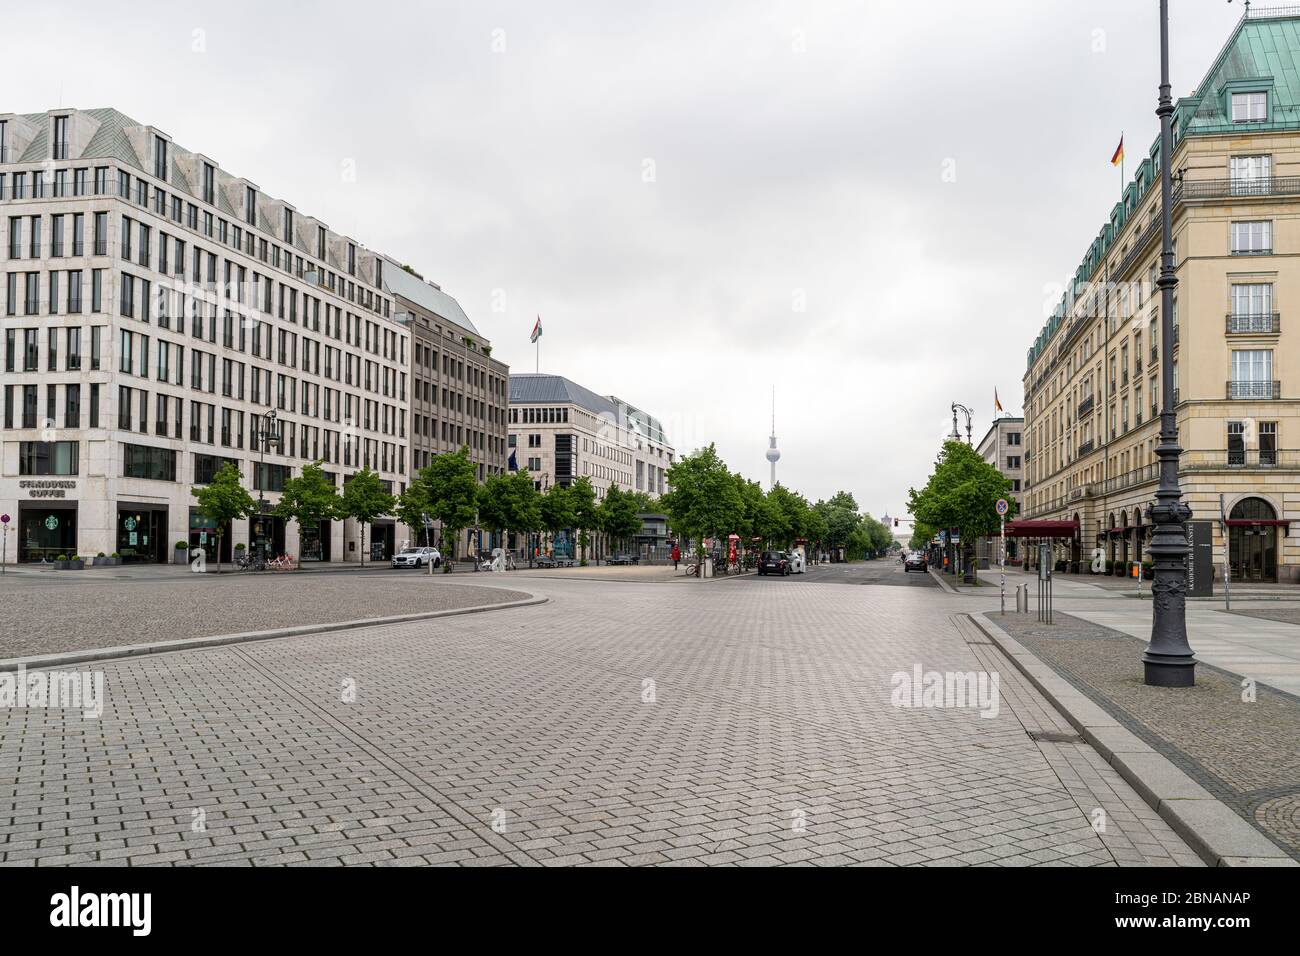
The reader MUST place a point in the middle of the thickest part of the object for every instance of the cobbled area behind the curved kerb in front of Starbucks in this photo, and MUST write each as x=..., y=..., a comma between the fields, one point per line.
x=50, y=615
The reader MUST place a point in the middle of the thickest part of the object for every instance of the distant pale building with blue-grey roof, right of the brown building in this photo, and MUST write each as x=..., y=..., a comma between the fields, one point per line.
x=561, y=431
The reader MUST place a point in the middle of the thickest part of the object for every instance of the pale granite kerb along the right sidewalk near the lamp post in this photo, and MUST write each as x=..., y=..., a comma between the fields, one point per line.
x=1214, y=830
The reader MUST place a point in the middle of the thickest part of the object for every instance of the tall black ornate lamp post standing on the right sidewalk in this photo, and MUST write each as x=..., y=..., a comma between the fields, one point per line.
x=1169, y=660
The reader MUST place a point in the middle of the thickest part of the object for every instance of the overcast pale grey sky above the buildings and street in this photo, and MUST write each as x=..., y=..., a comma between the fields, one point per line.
x=868, y=205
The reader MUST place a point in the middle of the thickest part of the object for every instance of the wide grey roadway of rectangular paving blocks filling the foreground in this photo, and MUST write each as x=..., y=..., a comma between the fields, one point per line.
x=618, y=725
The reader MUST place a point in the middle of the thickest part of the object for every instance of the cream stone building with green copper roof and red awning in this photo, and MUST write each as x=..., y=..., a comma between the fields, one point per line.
x=1093, y=384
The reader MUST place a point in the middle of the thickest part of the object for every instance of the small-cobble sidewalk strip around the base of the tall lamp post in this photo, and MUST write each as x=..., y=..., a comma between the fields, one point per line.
x=1245, y=752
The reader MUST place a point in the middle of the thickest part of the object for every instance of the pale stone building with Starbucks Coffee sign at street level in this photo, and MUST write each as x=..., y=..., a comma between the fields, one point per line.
x=163, y=317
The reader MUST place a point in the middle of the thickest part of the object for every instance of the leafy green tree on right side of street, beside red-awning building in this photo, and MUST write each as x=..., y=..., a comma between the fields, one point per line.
x=961, y=495
